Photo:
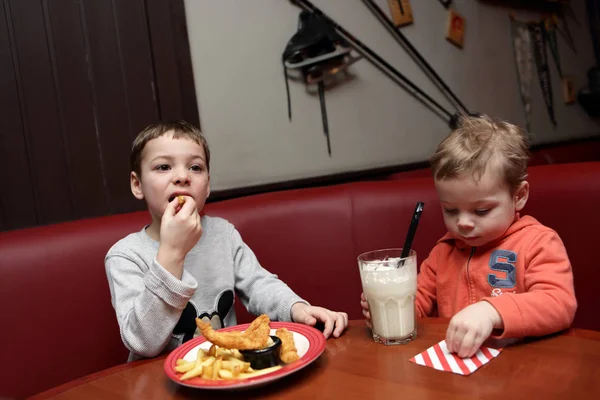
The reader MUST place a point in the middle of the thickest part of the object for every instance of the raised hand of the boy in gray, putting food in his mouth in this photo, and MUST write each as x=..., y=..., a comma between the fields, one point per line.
x=180, y=230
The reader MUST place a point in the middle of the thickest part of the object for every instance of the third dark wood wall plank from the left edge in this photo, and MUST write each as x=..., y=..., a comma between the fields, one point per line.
x=68, y=47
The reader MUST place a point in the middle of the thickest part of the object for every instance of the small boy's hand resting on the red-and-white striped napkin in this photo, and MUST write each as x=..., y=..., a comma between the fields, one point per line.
x=470, y=327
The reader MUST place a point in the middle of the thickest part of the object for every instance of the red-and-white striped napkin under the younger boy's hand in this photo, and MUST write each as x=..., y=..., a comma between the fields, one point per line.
x=438, y=357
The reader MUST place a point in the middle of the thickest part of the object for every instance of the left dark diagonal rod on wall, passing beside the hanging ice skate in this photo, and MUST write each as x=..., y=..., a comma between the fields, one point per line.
x=374, y=58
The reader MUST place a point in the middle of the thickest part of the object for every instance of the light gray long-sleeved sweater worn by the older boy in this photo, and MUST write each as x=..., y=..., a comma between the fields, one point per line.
x=157, y=311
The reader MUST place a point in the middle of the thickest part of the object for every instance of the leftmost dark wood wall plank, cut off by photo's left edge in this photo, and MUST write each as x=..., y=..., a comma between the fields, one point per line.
x=17, y=202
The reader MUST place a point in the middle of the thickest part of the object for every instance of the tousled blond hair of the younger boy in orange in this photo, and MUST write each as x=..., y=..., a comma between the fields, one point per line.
x=479, y=142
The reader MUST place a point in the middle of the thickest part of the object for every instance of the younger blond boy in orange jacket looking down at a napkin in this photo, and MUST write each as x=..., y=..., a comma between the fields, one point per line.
x=494, y=271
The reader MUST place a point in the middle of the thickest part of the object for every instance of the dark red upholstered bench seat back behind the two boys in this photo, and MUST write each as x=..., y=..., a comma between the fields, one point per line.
x=58, y=323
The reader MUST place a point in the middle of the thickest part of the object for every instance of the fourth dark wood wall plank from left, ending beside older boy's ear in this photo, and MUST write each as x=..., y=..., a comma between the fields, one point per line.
x=111, y=102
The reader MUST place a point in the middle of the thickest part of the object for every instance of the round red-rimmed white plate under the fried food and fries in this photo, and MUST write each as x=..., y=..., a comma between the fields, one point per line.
x=309, y=342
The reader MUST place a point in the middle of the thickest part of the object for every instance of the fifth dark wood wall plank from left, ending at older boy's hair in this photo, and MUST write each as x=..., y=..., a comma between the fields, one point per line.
x=136, y=64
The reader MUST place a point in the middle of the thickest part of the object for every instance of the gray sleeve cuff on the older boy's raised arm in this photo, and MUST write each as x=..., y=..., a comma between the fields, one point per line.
x=173, y=291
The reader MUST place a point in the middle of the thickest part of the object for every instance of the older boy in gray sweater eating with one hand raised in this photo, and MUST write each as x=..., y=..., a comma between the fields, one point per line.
x=184, y=265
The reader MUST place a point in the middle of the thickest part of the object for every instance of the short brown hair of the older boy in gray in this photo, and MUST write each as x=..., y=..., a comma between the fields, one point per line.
x=180, y=129
